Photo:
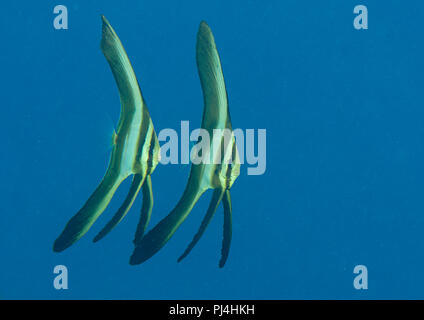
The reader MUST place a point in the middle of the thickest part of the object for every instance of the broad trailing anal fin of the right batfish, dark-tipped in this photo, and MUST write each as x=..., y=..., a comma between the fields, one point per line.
x=156, y=238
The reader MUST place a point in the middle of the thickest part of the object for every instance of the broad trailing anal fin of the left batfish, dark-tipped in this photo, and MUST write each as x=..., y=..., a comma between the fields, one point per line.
x=88, y=214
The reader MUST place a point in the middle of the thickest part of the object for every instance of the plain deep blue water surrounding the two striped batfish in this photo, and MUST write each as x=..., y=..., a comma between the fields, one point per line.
x=344, y=114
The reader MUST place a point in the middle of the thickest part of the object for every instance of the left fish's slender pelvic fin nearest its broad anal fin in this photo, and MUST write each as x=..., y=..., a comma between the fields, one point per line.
x=136, y=184
